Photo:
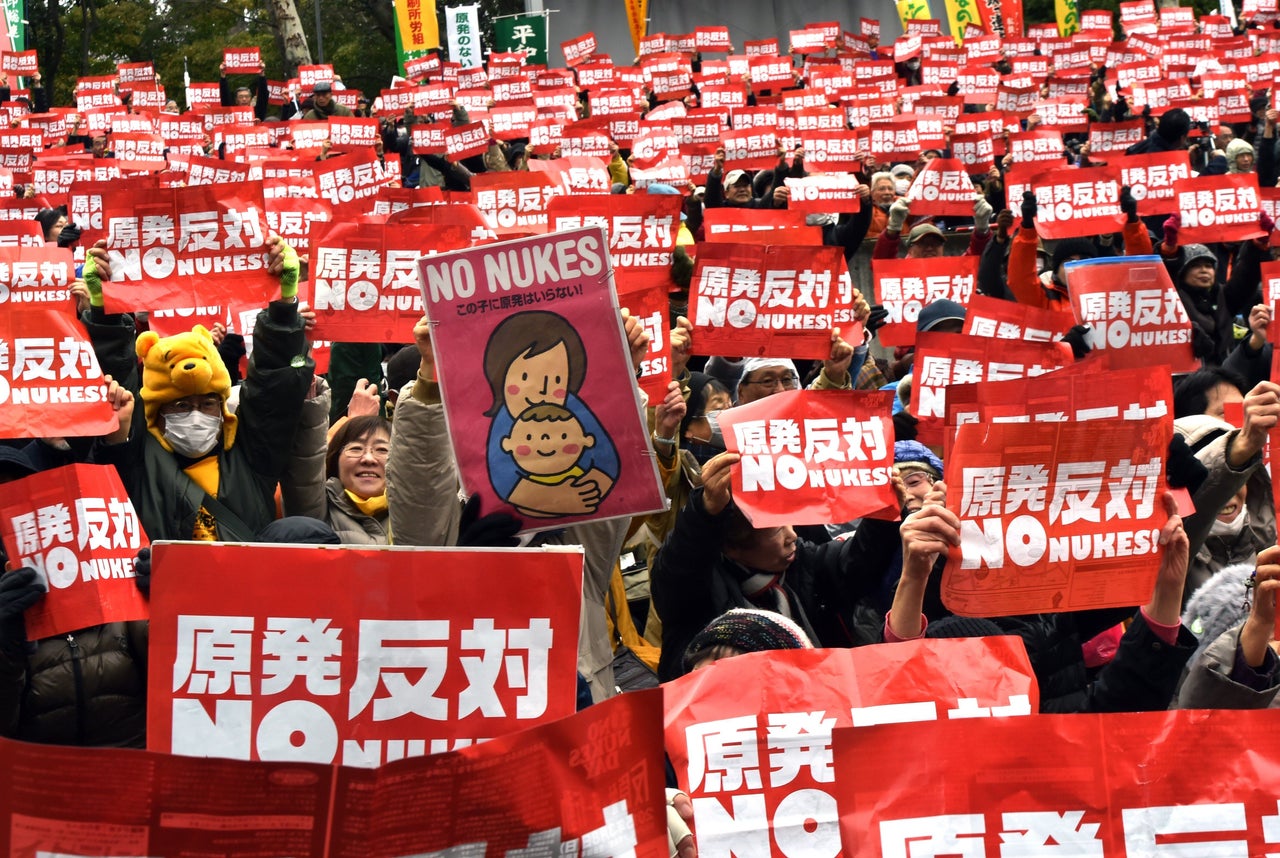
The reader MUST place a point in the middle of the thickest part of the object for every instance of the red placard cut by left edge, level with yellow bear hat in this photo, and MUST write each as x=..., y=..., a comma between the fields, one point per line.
x=48, y=363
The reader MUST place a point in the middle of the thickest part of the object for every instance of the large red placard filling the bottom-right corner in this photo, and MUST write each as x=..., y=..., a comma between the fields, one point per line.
x=1128, y=792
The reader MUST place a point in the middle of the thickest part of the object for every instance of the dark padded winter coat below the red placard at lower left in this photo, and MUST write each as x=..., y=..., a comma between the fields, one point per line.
x=85, y=688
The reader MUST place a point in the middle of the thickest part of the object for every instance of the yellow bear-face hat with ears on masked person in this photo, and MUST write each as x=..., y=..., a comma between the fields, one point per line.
x=180, y=367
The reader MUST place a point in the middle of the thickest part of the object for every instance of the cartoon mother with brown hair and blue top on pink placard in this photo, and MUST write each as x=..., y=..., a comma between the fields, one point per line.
x=532, y=359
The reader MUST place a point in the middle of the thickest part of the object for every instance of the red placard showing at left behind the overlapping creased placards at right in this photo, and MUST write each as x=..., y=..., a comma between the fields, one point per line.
x=943, y=360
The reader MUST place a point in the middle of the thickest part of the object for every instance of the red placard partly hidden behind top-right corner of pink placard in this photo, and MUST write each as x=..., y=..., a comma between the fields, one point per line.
x=642, y=227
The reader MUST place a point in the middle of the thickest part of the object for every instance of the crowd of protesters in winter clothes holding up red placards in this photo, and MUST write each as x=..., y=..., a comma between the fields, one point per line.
x=363, y=457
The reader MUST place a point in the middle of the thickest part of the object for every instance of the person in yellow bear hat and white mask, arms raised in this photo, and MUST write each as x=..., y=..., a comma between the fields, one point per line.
x=193, y=469
